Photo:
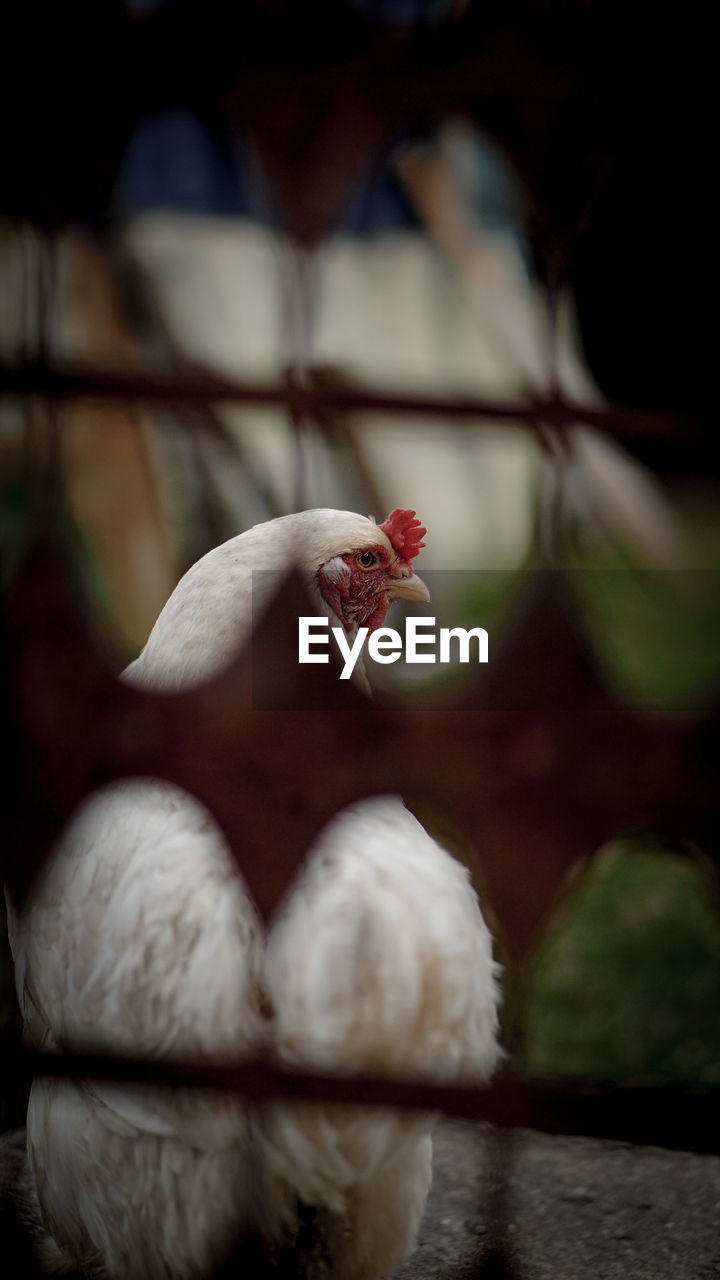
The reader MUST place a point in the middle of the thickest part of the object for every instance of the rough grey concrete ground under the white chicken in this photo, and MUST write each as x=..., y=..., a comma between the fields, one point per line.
x=571, y=1209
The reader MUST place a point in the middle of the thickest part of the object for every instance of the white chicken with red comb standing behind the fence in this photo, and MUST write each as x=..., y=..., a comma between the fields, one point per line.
x=142, y=938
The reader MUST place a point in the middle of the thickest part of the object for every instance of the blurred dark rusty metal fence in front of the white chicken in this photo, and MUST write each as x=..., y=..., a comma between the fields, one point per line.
x=522, y=769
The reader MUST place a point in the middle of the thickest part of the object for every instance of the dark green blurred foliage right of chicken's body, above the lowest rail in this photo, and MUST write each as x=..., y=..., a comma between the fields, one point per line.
x=626, y=985
